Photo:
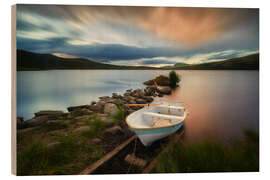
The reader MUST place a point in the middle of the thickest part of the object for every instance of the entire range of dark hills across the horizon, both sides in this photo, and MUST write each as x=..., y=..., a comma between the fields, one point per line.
x=35, y=61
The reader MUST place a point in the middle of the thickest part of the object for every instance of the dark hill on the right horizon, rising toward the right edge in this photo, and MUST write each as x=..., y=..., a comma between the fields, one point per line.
x=250, y=62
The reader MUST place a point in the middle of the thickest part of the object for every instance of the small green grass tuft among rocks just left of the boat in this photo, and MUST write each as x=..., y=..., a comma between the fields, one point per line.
x=97, y=125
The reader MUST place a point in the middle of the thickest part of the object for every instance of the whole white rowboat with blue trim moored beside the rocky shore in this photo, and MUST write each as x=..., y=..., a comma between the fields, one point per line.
x=156, y=121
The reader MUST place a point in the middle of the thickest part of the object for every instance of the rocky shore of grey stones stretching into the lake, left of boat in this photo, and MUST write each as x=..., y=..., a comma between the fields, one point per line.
x=97, y=124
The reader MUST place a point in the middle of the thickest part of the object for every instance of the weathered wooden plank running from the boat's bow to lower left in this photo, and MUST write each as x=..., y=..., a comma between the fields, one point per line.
x=90, y=169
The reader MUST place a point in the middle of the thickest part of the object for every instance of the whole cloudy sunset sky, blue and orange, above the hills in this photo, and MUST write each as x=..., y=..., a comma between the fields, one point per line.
x=149, y=36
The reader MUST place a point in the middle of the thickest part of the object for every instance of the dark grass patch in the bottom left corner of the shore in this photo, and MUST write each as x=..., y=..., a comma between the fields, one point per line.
x=67, y=157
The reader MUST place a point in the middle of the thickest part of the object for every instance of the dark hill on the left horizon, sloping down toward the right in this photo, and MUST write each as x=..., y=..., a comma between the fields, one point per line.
x=27, y=61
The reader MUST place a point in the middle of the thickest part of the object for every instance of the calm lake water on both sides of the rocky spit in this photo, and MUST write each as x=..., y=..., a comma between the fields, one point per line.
x=221, y=103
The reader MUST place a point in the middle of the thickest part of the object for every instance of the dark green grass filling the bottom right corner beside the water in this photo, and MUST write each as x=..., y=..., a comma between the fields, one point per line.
x=211, y=156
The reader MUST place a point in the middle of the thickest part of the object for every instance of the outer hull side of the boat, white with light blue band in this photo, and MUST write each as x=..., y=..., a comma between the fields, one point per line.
x=147, y=137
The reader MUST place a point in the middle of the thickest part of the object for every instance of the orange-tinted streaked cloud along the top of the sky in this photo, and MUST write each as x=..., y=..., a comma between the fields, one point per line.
x=178, y=25
